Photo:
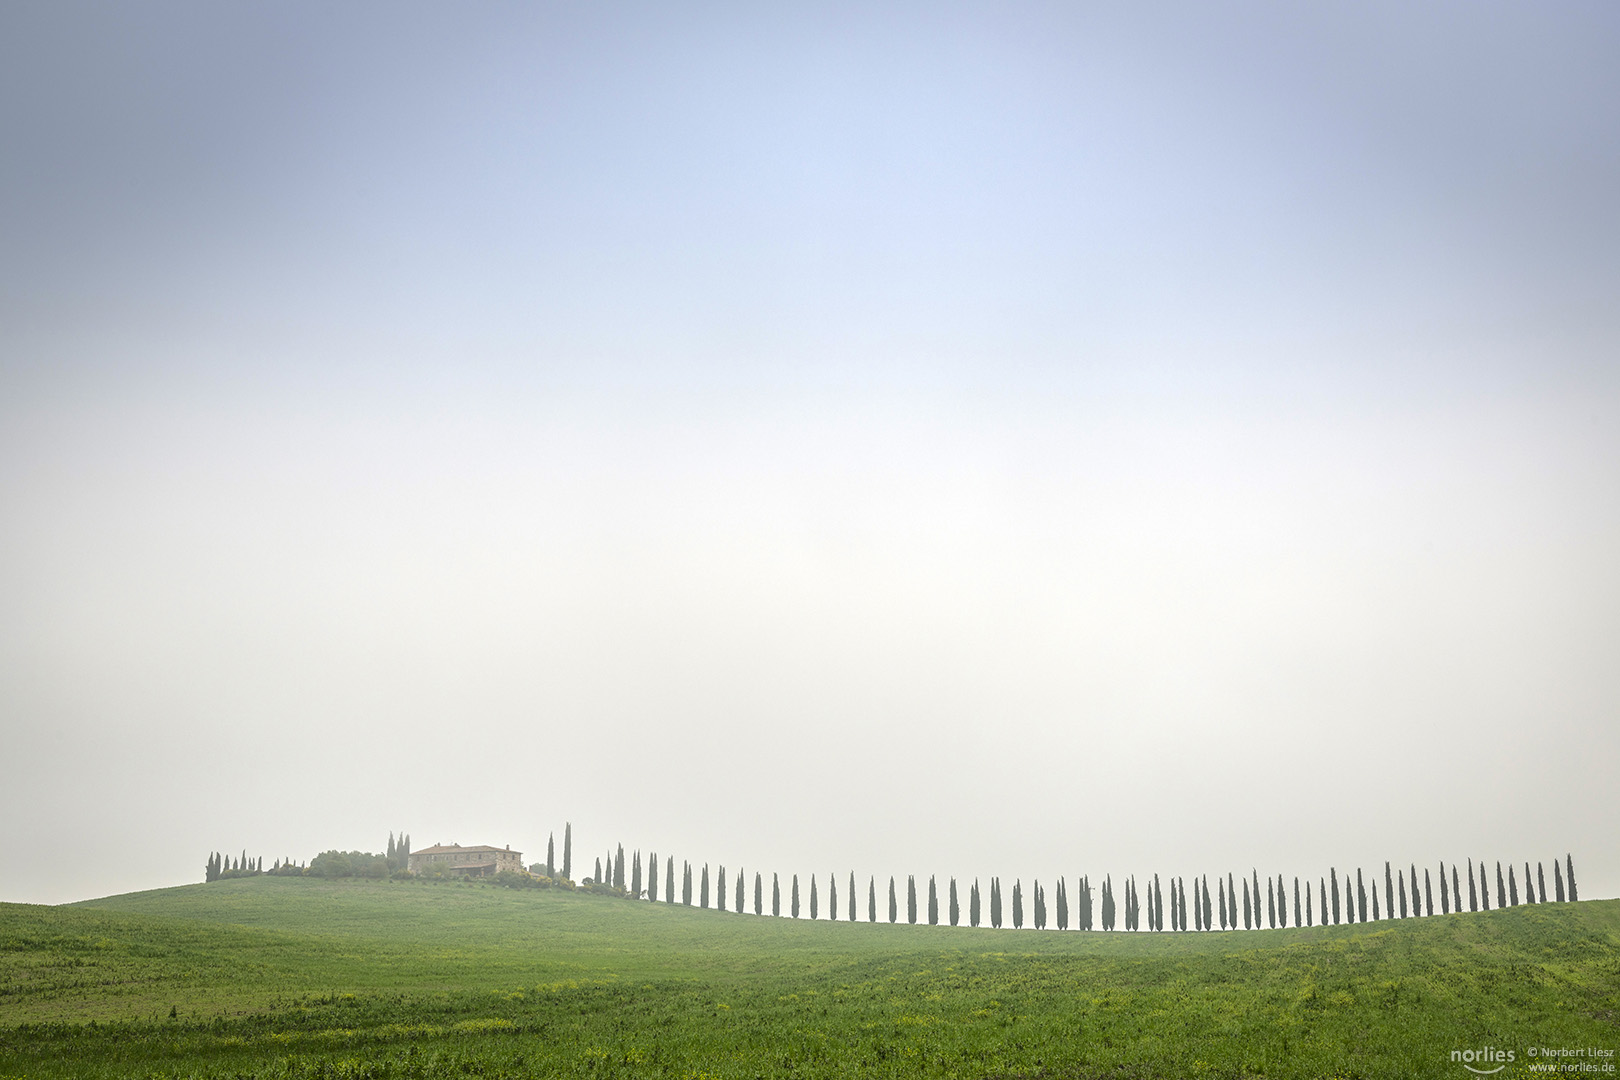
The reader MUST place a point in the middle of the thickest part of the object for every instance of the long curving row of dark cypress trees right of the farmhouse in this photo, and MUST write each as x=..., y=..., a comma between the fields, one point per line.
x=1136, y=908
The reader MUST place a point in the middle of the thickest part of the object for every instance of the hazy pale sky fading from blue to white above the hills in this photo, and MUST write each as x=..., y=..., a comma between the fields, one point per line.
x=1013, y=440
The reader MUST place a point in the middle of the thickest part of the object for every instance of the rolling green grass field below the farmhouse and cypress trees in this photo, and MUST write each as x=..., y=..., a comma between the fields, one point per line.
x=286, y=977
